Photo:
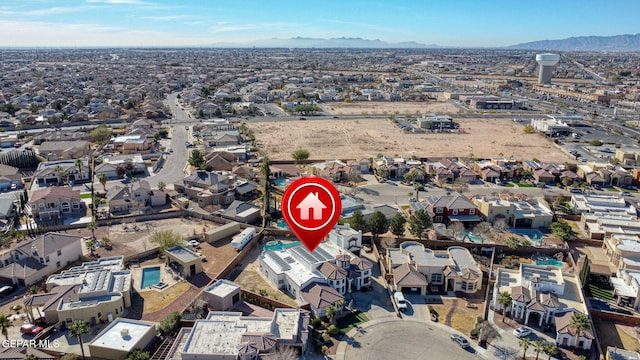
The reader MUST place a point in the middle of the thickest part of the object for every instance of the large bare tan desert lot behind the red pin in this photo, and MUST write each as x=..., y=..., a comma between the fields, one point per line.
x=364, y=138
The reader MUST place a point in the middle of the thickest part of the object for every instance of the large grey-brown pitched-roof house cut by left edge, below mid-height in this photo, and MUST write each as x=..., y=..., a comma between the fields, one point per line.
x=33, y=260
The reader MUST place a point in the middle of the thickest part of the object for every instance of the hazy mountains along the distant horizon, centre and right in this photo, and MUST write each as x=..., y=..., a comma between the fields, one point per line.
x=628, y=42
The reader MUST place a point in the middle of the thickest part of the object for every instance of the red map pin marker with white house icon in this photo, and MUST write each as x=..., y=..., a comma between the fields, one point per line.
x=311, y=207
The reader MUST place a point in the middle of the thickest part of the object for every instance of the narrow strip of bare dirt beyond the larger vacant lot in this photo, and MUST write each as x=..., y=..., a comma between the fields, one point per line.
x=390, y=107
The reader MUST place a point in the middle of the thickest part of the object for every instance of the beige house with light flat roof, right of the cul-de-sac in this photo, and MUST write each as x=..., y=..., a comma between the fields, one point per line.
x=539, y=293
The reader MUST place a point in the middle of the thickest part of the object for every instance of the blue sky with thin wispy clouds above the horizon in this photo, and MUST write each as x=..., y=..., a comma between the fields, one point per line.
x=473, y=23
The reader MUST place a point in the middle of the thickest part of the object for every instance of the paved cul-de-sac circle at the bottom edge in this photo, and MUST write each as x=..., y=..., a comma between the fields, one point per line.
x=402, y=339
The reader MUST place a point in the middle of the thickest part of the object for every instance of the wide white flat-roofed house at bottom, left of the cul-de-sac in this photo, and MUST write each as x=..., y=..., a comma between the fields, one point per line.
x=230, y=335
